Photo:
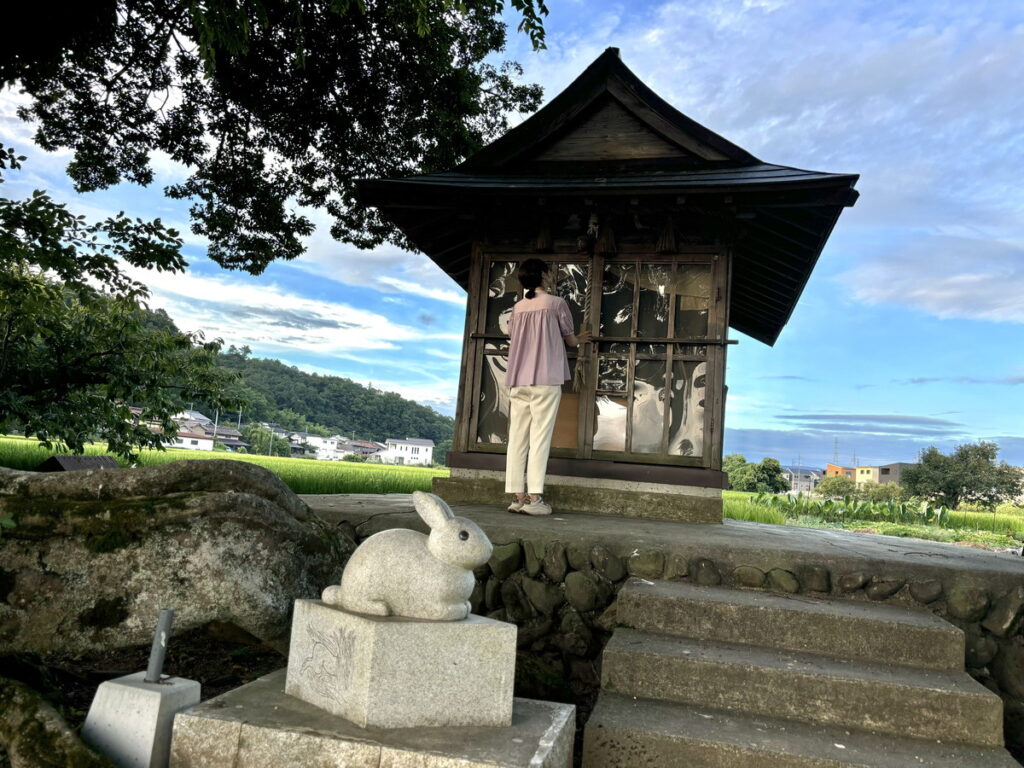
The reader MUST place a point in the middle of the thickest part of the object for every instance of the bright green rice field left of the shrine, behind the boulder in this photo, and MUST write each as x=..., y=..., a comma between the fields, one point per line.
x=302, y=476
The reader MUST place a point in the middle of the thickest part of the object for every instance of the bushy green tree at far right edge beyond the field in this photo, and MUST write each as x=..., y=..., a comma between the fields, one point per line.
x=970, y=474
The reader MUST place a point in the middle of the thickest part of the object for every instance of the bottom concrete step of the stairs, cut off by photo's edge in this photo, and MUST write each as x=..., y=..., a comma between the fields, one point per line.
x=625, y=733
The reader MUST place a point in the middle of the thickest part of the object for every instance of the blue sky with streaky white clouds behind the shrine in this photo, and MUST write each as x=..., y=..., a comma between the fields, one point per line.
x=911, y=330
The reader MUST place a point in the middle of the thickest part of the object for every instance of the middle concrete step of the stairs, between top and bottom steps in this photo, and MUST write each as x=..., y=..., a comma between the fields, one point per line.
x=920, y=704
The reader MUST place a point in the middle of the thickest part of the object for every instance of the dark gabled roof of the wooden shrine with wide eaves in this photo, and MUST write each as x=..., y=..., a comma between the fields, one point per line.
x=610, y=136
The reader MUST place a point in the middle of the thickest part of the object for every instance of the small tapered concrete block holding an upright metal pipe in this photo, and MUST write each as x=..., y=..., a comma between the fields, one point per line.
x=131, y=720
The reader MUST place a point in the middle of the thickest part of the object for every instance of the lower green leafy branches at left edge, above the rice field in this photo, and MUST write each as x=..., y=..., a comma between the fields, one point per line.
x=77, y=349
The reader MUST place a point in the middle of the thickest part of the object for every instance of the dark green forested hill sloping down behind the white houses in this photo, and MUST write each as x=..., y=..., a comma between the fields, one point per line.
x=309, y=402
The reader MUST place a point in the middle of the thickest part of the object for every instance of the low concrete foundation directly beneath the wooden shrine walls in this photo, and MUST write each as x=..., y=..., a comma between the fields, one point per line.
x=592, y=496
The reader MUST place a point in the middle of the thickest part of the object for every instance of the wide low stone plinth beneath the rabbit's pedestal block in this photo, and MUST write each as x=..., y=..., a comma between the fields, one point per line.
x=260, y=727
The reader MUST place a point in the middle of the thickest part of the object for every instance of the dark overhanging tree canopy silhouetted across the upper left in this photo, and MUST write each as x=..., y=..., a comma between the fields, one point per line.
x=271, y=105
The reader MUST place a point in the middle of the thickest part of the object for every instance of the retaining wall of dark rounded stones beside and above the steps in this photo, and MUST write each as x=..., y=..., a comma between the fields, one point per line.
x=563, y=598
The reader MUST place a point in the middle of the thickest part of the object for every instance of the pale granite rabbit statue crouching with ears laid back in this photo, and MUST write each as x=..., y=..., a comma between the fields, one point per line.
x=403, y=573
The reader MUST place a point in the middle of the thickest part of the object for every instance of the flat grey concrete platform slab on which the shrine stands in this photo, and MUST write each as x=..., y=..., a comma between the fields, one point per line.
x=657, y=549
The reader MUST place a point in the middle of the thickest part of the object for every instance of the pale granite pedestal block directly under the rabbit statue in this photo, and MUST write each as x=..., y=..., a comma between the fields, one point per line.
x=402, y=673
